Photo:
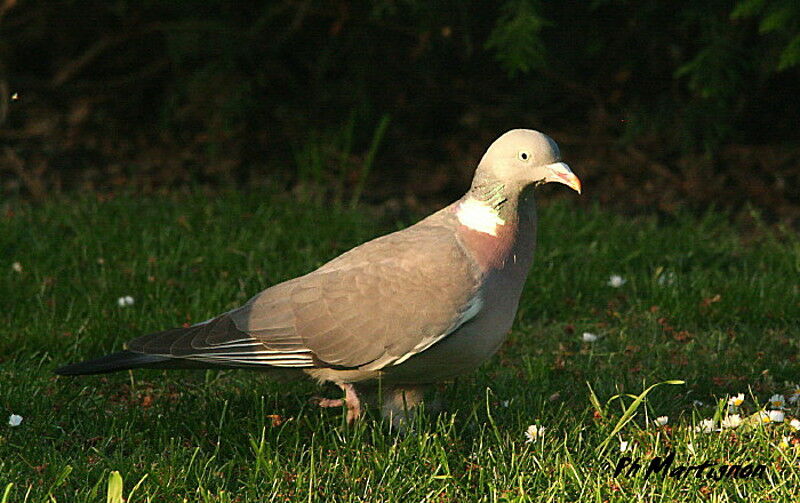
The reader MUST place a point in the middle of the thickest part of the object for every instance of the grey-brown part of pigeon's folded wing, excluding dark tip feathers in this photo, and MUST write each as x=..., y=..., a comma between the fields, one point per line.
x=374, y=306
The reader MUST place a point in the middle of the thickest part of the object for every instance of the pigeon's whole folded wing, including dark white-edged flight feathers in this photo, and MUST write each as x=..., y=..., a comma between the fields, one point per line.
x=372, y=307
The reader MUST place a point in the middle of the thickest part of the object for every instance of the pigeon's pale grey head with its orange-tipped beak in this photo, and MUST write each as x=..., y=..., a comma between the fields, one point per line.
x=521, y=158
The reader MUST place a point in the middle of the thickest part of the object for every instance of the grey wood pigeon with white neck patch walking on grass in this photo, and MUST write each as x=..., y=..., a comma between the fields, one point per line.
x=405, y=310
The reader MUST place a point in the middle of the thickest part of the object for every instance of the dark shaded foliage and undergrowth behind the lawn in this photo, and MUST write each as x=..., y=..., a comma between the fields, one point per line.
x=657, y=105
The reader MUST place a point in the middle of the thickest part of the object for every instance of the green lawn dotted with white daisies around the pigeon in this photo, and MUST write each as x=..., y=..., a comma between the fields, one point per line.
x=704, y=302
